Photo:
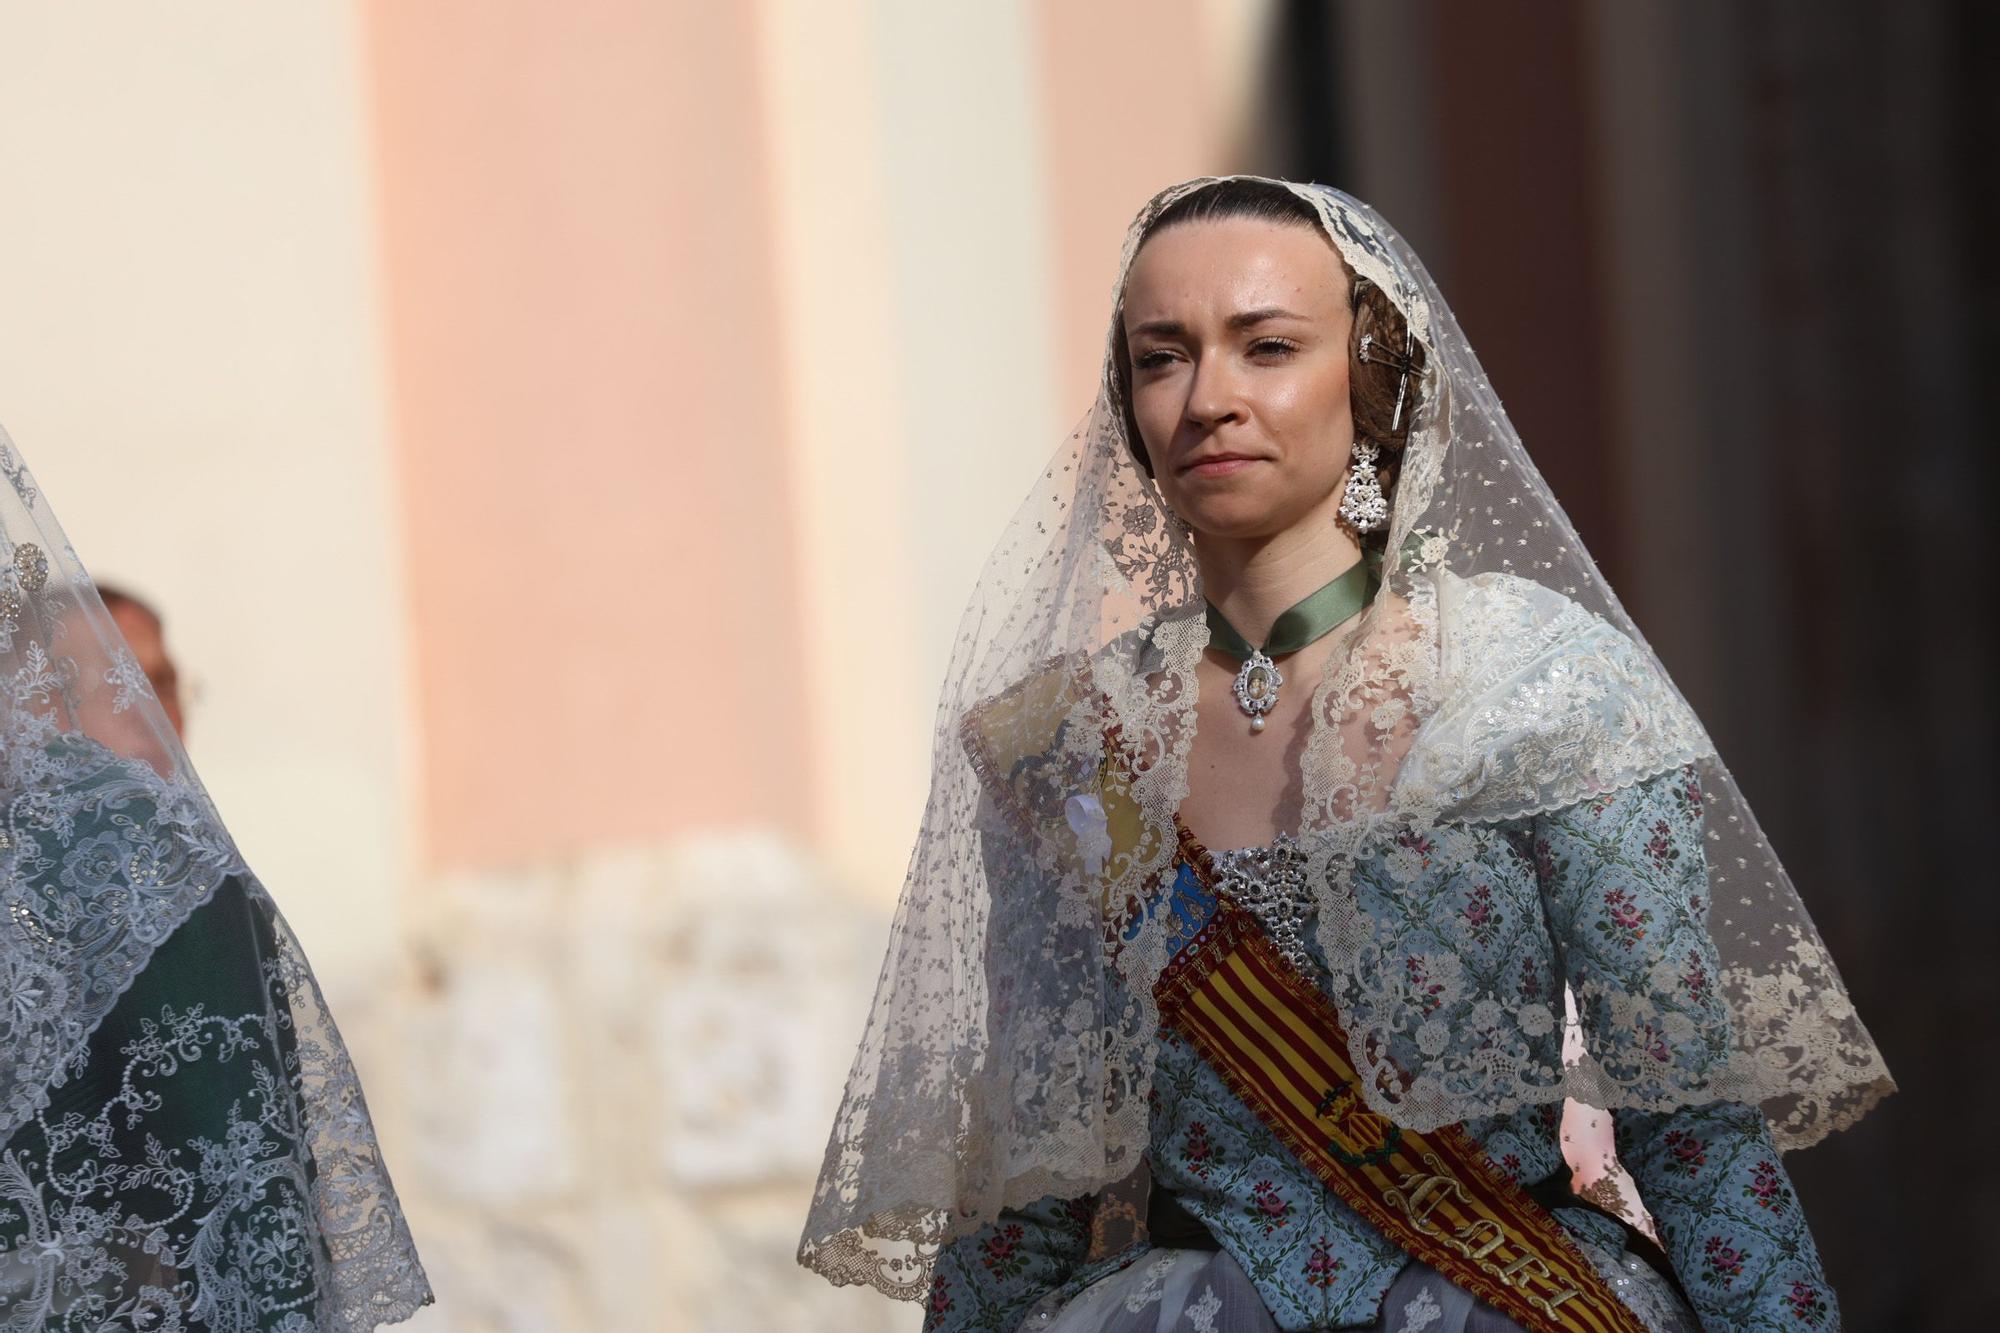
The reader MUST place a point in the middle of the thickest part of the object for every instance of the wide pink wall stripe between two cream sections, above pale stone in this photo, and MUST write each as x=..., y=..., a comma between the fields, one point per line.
x=585, y=355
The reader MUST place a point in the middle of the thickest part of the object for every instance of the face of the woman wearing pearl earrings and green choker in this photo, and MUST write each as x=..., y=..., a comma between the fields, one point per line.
x=1237, y=333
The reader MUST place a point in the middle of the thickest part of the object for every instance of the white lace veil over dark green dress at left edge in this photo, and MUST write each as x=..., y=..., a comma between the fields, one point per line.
x=121, y=1208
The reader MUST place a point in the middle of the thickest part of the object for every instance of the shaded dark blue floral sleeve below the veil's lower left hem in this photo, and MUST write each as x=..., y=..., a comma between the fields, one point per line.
x=987, y=1282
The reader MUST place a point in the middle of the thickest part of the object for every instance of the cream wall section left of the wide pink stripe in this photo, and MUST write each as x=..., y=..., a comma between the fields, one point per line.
x=191, y=361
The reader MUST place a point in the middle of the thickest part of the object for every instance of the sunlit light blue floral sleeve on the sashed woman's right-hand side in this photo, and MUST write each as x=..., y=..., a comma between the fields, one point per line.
x=1625, y=880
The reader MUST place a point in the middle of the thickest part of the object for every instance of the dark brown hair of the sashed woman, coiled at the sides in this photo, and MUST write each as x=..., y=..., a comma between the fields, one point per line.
x=1371, y=383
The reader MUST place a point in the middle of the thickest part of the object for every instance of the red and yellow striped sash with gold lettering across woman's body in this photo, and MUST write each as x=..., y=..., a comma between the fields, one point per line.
x=1277, y=1040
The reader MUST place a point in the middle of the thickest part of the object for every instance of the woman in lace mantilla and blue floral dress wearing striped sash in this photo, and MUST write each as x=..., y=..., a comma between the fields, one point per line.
x=1297, y=591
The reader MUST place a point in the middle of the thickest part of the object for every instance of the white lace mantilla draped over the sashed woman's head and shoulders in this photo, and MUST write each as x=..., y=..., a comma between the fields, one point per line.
x=1495, y=678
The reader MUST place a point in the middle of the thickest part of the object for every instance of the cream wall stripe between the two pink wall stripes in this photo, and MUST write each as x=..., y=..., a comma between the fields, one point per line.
x=913, y=231
